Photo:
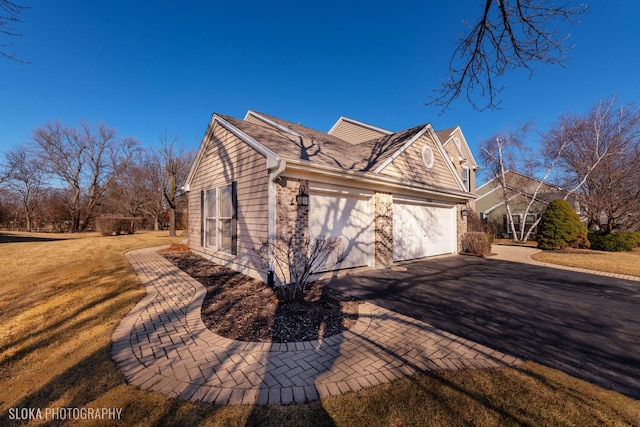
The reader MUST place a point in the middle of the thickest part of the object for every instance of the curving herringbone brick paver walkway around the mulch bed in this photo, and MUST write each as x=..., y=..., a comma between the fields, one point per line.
x=163, y=345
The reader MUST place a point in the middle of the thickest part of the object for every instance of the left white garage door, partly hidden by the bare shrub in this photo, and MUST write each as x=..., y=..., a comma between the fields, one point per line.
x=349, y=218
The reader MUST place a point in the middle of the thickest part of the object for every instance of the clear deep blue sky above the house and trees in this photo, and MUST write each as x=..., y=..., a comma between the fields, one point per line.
x=150, y=67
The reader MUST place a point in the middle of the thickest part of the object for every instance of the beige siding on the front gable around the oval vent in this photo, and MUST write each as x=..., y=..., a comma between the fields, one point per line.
x=410, y=167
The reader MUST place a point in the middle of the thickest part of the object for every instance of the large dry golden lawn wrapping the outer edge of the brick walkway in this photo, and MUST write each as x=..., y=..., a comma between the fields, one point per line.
x=60, y=301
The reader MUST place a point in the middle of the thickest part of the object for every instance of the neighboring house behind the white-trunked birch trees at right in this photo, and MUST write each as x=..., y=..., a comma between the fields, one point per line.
x=520, y=190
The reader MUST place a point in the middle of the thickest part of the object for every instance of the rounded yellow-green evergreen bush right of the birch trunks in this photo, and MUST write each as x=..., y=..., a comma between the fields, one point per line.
x=560, y=227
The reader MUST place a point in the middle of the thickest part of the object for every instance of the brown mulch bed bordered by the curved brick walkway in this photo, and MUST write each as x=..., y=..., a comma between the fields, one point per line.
x=242, y=308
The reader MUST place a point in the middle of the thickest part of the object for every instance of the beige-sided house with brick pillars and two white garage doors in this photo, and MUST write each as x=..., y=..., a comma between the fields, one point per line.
x=390, y=196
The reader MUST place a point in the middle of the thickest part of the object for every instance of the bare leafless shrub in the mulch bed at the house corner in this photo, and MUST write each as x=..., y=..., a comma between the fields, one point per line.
x=294, y=262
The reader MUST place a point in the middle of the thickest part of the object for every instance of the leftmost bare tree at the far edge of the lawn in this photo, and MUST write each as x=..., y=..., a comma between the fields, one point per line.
x=26, y=180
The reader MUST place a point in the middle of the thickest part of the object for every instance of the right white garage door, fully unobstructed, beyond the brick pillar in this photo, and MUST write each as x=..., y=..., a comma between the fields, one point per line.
x=421, y=231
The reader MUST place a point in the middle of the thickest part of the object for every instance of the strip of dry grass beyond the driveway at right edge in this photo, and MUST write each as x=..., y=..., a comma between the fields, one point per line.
x=609, y=262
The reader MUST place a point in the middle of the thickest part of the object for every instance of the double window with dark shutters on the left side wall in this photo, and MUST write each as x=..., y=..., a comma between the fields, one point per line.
x=220, y=212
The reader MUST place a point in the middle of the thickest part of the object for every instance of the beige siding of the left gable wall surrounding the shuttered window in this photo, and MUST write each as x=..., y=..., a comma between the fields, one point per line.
x=226, y=159
